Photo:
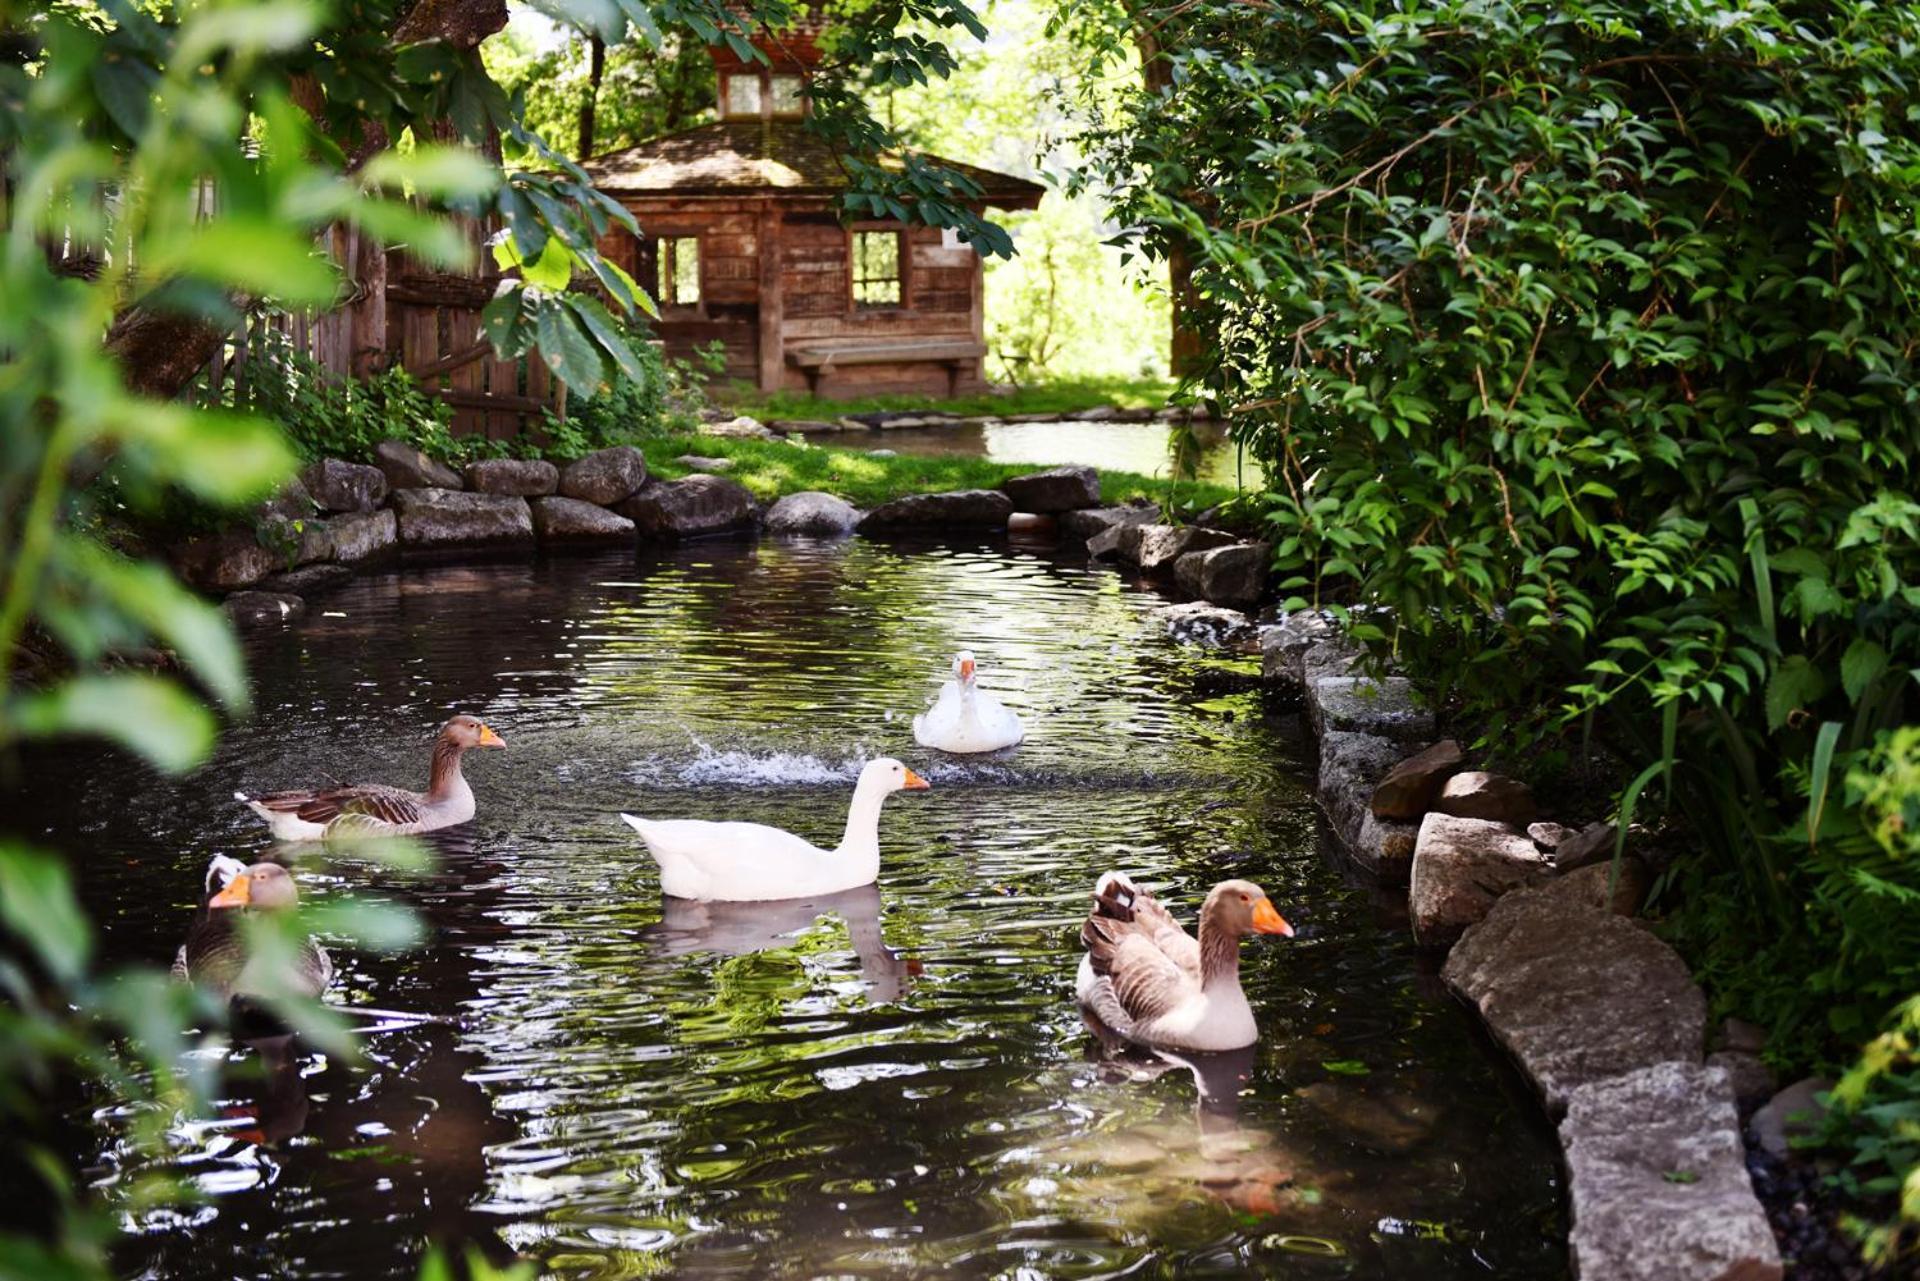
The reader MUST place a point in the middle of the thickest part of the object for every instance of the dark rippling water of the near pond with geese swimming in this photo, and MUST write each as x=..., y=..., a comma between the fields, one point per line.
x=884, y=1086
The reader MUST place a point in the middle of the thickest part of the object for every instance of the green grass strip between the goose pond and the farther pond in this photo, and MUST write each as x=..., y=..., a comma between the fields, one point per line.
x=777, y=468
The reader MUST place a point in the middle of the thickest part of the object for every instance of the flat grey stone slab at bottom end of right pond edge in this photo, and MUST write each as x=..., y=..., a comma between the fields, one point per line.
x=1658, y=1182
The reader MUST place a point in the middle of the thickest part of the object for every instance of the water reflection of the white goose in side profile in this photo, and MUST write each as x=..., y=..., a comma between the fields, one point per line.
x=738, y=929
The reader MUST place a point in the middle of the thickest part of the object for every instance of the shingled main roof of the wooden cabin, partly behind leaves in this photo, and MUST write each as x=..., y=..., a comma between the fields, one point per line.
x=761, y=157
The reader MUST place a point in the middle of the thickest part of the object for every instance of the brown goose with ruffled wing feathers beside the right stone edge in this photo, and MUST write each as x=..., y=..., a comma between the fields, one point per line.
x=1151, y=982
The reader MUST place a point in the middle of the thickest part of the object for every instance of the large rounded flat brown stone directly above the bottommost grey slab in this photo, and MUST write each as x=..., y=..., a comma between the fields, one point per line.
x=1573, y=994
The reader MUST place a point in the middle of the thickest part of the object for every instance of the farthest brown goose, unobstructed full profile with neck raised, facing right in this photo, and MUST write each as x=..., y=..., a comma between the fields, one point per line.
x=375, y=810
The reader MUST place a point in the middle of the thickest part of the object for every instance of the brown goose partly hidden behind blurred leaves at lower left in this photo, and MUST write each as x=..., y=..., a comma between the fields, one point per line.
x=216, y=954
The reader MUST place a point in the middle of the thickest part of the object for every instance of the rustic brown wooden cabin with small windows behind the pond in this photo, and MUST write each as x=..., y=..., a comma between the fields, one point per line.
x=742, y=243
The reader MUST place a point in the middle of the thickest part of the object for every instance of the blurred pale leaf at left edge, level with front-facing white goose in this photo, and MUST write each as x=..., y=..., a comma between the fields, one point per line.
x=147, y=715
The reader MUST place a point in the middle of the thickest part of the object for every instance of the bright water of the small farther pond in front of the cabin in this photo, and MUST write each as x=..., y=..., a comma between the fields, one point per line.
x=1122, y=447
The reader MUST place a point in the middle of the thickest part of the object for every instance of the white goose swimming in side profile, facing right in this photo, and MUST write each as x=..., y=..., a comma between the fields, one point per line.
x=754, y=863
